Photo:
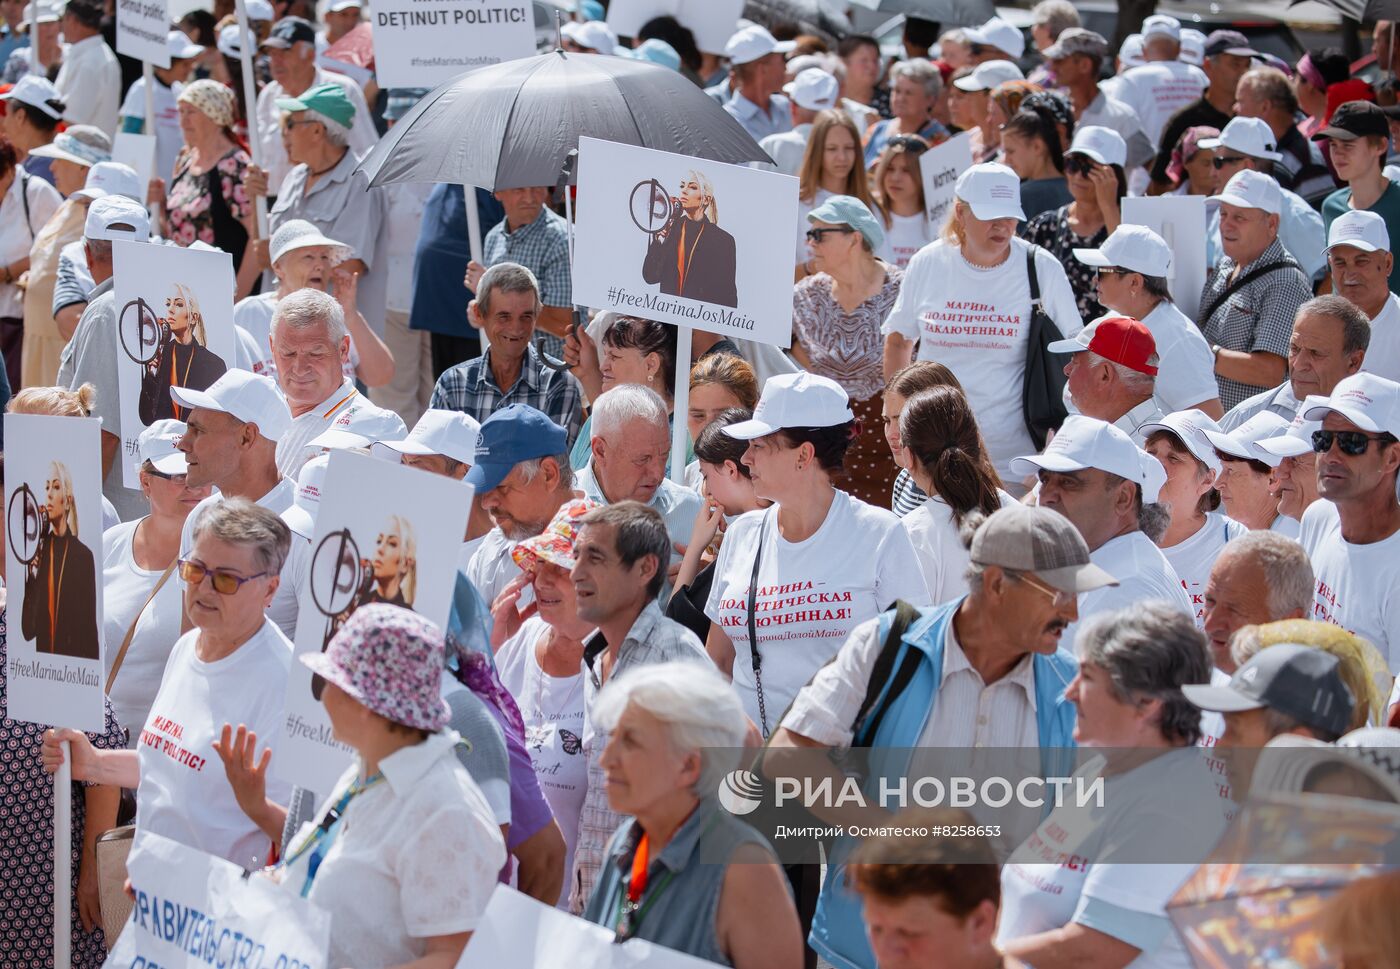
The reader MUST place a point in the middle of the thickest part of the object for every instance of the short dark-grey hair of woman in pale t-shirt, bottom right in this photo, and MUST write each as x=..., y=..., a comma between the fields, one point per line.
x=1150, y=650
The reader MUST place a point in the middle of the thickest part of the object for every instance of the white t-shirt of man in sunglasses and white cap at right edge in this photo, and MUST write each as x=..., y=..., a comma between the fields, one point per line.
x=1357, y=586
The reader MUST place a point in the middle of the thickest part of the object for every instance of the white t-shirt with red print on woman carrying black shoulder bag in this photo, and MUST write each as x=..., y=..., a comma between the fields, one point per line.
x=976, y=321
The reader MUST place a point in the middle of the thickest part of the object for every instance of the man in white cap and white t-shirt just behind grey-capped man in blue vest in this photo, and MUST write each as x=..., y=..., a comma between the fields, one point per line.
x=1095, y=475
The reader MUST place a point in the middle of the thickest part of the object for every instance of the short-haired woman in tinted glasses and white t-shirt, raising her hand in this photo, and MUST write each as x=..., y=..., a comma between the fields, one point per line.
x=218, y=674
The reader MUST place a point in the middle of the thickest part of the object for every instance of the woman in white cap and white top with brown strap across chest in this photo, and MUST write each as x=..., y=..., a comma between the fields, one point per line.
x=141, y=604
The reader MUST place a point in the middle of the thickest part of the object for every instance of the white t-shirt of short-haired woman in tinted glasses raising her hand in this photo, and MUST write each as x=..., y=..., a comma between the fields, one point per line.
x=184, y=793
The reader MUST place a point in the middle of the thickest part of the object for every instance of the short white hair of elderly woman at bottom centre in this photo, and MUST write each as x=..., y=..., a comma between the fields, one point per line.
x=696, y=705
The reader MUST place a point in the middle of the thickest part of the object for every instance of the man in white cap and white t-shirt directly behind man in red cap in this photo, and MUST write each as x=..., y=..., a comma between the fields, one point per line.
x=1133, y=267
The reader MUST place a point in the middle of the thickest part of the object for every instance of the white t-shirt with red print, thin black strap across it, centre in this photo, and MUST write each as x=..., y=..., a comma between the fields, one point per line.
x=810, y=594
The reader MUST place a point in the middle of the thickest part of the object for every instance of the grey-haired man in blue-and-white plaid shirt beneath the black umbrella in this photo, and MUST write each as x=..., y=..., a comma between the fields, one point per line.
x=512, y=372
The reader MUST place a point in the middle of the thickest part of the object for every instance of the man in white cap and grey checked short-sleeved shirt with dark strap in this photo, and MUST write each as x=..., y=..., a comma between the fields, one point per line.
x=1251, y=298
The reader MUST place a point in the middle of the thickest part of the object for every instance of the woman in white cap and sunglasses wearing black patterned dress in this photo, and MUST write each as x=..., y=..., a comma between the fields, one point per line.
x=1097, y=184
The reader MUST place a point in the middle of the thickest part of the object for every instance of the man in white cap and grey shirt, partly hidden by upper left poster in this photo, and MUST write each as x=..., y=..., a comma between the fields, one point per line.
x=92, y=356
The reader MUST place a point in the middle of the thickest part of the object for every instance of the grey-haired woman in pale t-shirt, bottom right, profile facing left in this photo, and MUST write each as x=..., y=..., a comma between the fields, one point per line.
x=1129, y=701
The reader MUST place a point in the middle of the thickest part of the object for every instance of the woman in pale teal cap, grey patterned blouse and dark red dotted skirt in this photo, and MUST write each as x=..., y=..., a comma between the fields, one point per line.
x=836, y=320
